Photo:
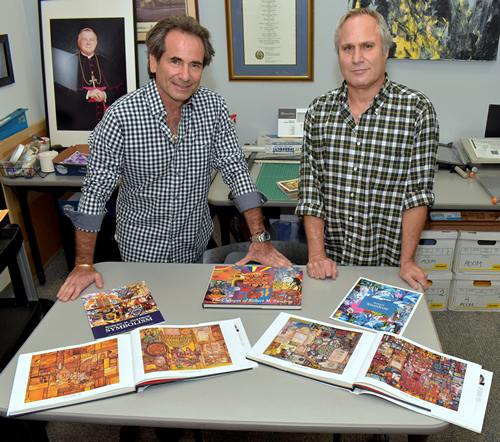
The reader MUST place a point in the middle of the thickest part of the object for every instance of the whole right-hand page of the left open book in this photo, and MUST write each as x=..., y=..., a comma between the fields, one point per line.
x=174, y=352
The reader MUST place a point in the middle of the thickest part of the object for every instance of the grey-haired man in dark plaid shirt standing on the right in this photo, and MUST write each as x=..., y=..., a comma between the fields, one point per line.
x=368, y=159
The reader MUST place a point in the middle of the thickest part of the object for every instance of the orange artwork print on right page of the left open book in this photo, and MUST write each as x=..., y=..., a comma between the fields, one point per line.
x=189, y=348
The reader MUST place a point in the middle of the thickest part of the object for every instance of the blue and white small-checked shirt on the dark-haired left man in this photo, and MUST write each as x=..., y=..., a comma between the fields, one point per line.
x=162, y=210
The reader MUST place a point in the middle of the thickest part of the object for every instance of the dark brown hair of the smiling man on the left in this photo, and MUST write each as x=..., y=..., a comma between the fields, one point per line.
x=155, y=40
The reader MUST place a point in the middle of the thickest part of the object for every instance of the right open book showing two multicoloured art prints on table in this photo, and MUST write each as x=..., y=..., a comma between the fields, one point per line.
x=383, y=364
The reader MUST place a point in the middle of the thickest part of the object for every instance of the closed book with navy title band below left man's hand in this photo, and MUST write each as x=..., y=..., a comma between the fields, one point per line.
x=121, y=309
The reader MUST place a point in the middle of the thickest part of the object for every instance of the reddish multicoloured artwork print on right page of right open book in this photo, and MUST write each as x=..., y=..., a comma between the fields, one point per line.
x=433, y=378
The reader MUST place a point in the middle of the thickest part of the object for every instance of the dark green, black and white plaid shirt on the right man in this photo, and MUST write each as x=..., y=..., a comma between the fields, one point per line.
x=360, y=177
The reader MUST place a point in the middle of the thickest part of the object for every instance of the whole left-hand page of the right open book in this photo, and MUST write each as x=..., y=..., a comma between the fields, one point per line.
x=322, y=351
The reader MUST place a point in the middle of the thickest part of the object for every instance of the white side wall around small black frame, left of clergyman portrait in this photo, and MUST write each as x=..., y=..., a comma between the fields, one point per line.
x=21, y=25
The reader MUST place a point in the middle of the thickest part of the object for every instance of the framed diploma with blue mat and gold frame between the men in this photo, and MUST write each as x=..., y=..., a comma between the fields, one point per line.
x=270, y=40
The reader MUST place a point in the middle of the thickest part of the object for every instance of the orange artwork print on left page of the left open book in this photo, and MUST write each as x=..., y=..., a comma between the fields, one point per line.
x=72, y=371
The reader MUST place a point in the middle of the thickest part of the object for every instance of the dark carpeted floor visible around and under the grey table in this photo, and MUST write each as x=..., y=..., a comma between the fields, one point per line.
x=469, y=335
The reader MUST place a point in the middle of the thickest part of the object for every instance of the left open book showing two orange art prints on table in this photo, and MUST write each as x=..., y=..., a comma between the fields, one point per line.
x=126, y=363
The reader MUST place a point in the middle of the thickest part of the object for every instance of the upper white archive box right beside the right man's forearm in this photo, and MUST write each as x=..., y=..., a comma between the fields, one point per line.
x=435, y=250
